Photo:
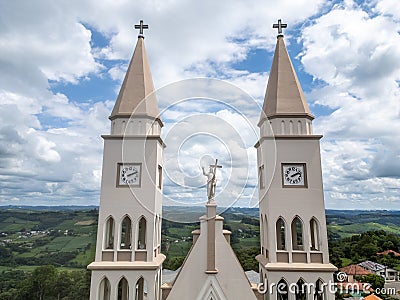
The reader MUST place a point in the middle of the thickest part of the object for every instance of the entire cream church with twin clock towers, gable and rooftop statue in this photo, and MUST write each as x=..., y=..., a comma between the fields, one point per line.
x=293, y=259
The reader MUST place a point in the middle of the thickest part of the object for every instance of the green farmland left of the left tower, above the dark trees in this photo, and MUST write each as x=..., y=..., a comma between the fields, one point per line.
x=29, y=238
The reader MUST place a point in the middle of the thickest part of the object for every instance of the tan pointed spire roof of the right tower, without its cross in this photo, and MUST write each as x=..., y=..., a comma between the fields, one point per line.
x=284, y=95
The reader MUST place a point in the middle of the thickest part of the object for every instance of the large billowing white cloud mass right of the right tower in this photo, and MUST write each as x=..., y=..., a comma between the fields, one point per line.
x=355, y=54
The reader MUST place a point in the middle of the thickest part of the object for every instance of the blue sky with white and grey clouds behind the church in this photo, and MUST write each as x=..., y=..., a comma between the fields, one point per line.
x=62, y=63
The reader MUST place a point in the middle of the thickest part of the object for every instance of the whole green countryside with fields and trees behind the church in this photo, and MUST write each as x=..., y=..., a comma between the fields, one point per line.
x=44, y=251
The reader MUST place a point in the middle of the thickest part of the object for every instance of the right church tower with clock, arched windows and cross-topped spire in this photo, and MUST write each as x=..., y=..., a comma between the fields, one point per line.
x=294, y=244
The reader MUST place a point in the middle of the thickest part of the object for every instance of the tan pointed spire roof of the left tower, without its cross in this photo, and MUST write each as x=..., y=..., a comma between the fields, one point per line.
x=137, y=86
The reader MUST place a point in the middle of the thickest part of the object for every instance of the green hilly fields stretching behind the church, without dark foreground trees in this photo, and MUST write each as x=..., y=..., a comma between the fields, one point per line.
x=66, y=238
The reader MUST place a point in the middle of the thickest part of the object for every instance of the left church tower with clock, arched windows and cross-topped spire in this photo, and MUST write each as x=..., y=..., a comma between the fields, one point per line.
x=128, y=260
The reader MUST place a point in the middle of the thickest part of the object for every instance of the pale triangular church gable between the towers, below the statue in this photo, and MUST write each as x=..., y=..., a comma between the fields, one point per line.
x=228, y=281
